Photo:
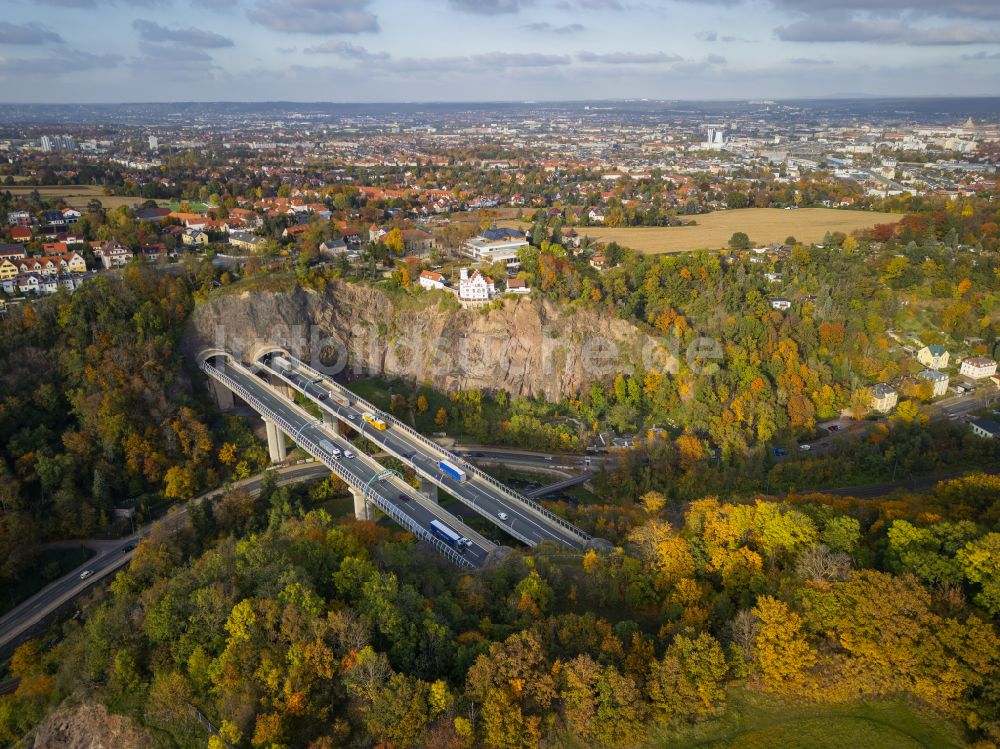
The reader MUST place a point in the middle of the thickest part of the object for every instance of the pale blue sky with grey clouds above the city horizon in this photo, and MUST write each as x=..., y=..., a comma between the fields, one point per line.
x=486, y=50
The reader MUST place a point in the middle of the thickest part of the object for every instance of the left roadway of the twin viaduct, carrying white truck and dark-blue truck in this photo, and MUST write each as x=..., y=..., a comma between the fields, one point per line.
x=359, y=471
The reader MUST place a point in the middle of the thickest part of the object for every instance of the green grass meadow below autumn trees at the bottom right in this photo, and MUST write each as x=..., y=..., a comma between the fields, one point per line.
x=755, y=721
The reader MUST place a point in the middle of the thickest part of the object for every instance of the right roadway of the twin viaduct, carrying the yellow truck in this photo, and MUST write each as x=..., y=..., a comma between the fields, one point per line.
x=522, y=521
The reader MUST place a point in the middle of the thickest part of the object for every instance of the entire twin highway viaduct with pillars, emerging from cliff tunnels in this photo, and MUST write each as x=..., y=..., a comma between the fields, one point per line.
x=269, y=385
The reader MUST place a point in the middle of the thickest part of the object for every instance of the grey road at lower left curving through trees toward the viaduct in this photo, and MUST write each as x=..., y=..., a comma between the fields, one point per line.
x=113, y=556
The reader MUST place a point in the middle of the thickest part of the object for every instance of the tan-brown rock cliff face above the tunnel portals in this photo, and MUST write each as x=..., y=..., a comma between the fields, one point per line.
x=530, y=347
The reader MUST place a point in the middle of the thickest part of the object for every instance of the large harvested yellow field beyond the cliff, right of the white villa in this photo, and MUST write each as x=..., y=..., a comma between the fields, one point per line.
x=763, y=225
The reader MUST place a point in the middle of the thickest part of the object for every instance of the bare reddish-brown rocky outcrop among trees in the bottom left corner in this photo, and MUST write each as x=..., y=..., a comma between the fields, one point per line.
x=87, y=726
